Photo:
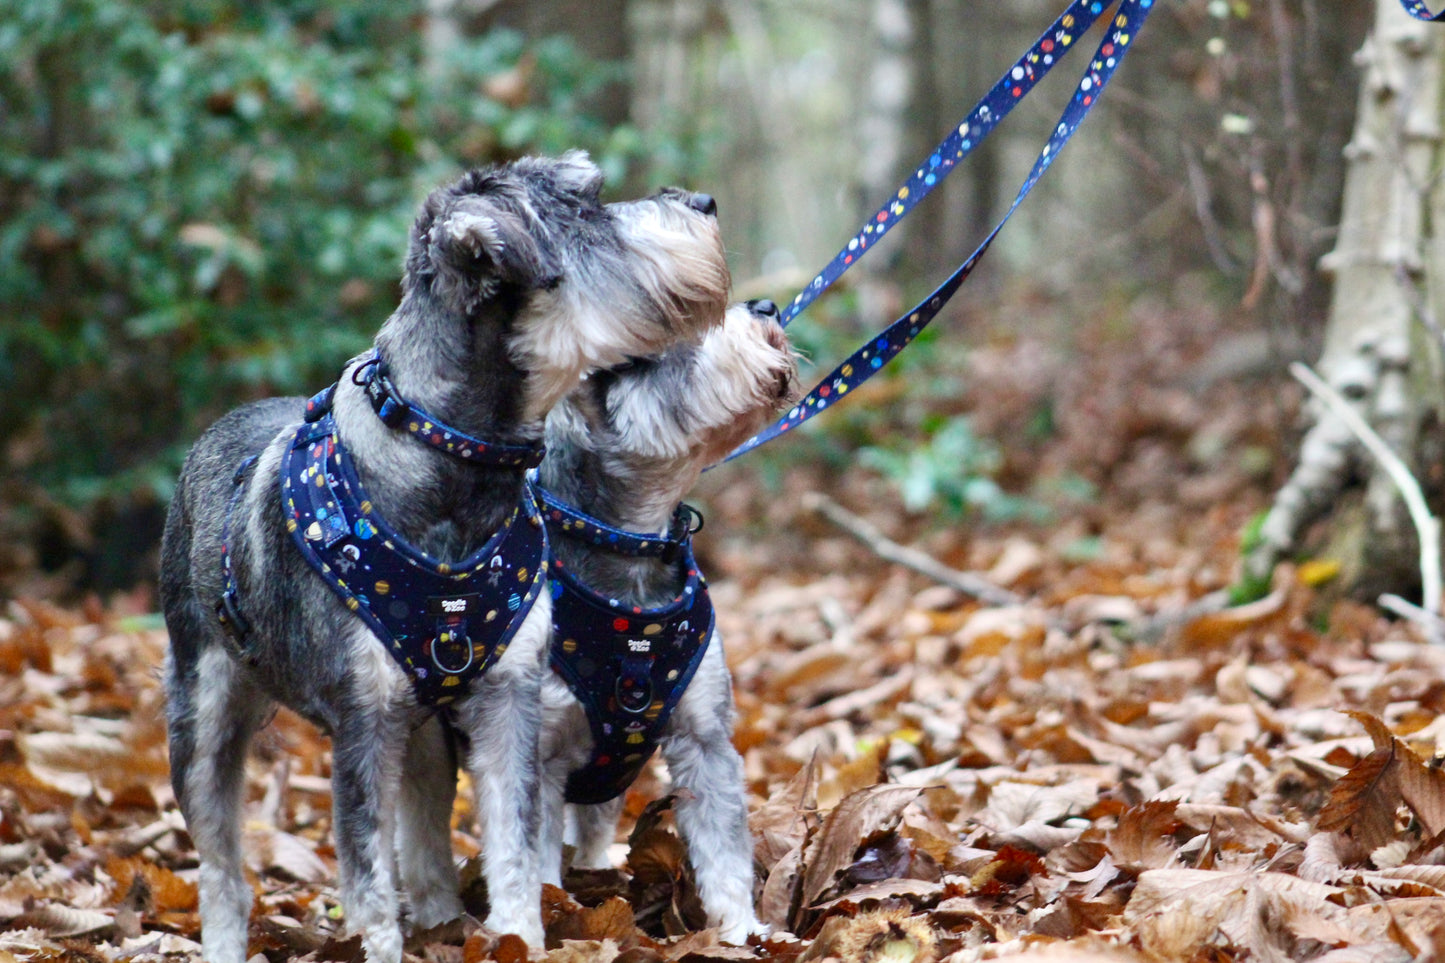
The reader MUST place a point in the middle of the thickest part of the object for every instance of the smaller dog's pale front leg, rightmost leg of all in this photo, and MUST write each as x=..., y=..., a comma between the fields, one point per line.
x=712, y=812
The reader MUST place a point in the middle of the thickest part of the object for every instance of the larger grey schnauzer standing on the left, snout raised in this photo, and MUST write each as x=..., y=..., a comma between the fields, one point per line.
x=518, y=283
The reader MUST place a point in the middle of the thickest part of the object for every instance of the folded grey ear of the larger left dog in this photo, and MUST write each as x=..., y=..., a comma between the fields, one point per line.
x=473, y=249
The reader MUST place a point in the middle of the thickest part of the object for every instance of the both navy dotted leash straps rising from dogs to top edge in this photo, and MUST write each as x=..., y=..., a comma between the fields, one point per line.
x=884, y=348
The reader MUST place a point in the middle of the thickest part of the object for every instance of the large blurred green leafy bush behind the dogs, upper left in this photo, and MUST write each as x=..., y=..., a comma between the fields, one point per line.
x=203, y=203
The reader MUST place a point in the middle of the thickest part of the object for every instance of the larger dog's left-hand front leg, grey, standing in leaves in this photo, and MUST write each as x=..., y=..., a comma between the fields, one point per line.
x=368, y=745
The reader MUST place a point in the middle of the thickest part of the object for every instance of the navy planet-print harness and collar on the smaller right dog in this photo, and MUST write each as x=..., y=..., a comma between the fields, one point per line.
x=625, y=664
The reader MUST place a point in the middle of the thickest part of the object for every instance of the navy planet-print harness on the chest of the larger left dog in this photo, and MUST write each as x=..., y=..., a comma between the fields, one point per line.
x=444, y=622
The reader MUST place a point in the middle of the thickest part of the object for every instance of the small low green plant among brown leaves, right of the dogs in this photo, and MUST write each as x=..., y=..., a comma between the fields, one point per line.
x=953, y=471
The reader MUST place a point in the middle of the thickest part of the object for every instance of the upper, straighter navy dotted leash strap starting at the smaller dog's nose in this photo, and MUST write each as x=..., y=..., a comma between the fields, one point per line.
x=1011, y=89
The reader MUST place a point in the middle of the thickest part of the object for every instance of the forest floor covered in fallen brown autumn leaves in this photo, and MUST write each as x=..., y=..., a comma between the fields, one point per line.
x=1096, y=770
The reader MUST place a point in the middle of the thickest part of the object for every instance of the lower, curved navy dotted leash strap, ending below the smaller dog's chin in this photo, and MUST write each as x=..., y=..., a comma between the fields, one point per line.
x=884, y=348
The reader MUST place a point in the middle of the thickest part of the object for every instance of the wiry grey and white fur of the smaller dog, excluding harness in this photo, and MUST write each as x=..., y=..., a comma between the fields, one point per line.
x=626, y=448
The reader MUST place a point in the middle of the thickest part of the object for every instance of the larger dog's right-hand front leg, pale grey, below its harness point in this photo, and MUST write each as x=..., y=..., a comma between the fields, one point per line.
x=504, y=719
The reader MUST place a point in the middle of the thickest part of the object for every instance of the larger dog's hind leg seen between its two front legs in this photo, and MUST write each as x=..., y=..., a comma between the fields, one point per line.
x=424, y=826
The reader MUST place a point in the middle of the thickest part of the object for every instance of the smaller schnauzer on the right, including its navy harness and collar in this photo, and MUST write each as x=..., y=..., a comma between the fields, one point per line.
x=638, y=660
